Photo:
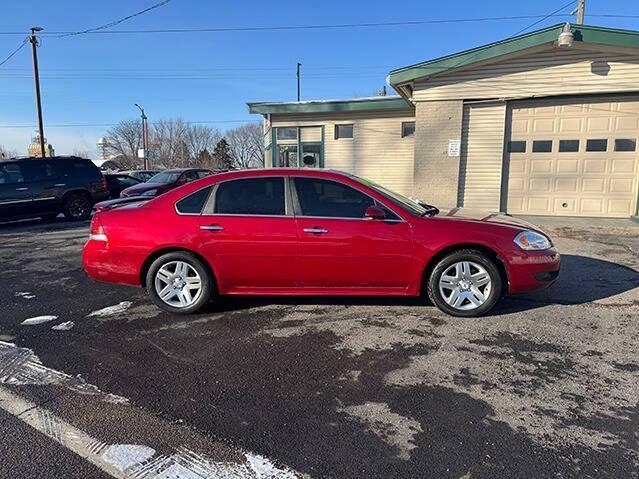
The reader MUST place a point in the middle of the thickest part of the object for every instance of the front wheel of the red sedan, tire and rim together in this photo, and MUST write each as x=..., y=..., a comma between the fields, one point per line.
x=465, y=283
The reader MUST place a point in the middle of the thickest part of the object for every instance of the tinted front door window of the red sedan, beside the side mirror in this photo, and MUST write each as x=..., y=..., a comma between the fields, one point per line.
x=325, y=198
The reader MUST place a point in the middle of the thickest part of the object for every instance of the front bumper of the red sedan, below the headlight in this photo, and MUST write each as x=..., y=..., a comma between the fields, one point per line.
x=533, y=270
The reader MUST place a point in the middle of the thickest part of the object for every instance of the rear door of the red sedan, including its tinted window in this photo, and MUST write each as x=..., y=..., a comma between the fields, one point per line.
x=250, y=236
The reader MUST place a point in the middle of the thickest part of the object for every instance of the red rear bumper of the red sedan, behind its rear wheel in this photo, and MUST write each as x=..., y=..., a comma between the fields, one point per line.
x=102, y=263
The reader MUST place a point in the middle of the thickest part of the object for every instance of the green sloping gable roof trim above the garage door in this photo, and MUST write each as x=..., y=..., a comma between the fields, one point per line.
x=582, y=33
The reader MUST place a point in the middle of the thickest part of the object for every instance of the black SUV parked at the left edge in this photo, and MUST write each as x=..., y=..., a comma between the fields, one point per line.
x=36, y=187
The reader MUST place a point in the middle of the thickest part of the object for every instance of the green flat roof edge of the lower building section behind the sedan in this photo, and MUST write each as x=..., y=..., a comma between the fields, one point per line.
x=332, y=106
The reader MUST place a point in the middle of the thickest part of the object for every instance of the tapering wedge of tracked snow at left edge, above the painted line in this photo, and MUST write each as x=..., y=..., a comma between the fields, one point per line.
x=22, y=366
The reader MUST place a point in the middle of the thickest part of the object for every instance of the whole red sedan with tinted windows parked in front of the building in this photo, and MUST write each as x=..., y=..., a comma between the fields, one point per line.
x=312, y=232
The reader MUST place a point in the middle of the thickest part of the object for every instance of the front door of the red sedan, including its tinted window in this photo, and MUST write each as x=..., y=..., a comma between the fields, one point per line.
x=340, y=249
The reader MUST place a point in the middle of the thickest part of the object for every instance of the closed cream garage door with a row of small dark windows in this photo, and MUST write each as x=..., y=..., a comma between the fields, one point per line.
x=573, y=158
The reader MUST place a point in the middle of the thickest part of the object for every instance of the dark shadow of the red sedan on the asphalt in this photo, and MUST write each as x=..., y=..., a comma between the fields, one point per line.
x=582, y=280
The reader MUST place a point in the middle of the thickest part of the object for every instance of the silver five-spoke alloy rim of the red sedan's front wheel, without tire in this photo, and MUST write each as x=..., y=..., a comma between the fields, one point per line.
x=465, y=285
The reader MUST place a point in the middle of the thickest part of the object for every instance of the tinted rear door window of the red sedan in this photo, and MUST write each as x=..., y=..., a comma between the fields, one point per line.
x=251, y=196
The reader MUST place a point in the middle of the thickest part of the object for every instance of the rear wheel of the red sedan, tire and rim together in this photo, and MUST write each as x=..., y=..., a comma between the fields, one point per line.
x=172, y=287
